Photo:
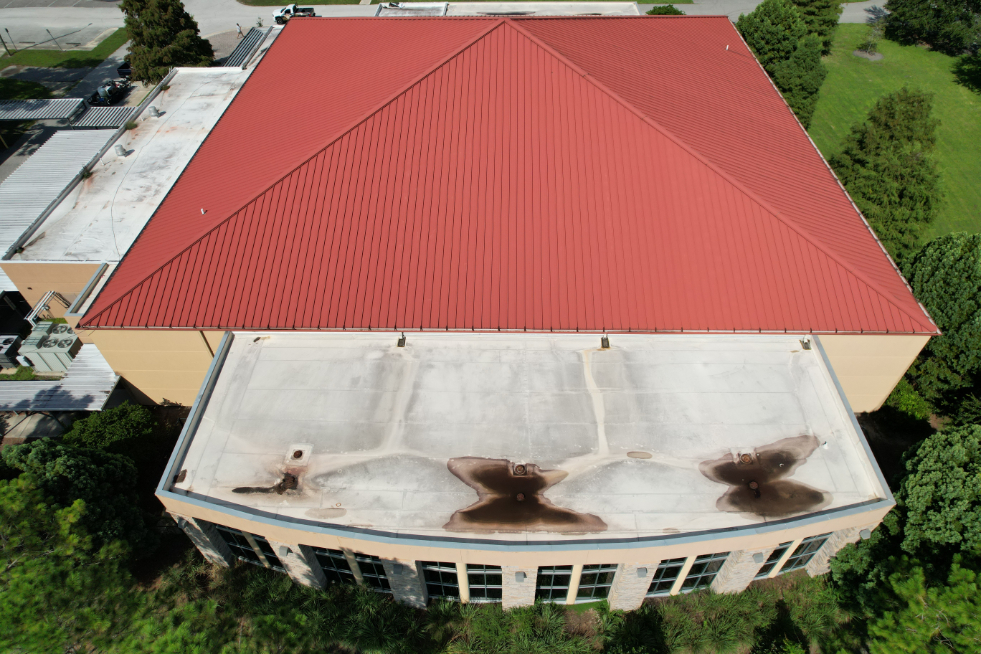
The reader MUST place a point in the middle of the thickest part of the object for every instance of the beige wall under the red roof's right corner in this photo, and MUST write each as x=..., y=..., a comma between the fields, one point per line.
x=869, y=366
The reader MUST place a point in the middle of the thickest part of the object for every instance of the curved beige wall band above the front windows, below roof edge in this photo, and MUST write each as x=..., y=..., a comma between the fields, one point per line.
x=589, y=553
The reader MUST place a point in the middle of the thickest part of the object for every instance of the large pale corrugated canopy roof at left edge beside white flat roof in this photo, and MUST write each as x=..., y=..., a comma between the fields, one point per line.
x=38, y=182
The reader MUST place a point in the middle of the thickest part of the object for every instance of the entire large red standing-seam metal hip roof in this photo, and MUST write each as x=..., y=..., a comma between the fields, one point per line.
x=541, y=174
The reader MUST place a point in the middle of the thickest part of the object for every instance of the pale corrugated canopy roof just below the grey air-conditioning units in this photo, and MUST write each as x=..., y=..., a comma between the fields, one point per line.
x=85, y=387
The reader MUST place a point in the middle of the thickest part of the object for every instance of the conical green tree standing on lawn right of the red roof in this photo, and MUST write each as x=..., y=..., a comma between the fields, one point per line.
x=887, y=165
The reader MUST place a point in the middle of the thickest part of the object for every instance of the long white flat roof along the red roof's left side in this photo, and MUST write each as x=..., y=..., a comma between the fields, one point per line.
x=101, y=218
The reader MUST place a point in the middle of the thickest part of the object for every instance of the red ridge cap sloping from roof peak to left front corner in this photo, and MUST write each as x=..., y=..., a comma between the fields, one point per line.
x=86, y=319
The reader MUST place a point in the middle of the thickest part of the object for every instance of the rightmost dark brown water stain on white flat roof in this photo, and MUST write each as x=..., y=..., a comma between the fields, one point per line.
x=758, y=480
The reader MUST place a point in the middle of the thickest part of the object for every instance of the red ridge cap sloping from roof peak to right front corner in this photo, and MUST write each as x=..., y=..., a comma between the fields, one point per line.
x=793, y=225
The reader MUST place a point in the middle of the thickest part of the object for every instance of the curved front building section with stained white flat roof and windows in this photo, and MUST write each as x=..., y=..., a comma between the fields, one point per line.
x=510, y=467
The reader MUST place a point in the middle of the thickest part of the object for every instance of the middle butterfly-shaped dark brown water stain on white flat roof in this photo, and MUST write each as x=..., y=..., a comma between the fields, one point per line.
x=510, y=499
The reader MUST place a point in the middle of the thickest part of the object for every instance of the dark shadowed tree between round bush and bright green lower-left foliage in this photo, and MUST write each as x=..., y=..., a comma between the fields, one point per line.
x=104, y=482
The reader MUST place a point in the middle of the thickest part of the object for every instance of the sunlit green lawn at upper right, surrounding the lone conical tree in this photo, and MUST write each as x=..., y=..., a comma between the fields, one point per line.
x=852, y=87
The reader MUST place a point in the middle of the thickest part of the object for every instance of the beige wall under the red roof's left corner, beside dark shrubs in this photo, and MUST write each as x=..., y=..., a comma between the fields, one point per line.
x=159, y=366
